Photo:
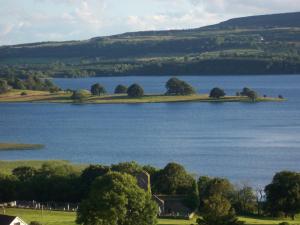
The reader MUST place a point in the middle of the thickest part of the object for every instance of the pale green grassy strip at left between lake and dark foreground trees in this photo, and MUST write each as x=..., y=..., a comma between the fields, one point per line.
x=6, y=167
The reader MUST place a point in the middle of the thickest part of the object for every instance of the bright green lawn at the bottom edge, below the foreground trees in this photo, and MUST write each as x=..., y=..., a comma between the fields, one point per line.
x=68, y=218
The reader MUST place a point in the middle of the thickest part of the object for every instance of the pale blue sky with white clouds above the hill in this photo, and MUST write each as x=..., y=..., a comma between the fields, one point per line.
x=26, y=21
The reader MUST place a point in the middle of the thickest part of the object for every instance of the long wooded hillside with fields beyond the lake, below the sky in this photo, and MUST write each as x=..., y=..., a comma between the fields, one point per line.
x=267, y=44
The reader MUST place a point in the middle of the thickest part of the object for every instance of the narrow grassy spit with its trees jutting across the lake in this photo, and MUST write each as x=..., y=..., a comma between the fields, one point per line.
x=177, y=91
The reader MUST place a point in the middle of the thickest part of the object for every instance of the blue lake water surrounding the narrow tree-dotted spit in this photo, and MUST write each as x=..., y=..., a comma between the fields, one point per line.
x=244, y=142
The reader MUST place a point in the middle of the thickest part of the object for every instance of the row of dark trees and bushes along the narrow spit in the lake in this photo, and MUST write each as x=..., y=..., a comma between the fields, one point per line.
x=174, y=86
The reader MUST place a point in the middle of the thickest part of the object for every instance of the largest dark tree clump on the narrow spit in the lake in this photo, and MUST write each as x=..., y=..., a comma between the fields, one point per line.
x=178, y=87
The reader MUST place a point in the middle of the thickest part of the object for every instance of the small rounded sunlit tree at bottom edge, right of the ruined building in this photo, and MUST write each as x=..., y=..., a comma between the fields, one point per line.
x=218, y=211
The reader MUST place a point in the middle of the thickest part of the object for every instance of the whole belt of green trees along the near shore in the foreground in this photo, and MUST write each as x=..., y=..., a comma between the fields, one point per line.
x=111, y=195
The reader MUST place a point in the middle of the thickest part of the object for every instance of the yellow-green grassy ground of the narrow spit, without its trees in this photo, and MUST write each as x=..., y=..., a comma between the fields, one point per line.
x=63, y=97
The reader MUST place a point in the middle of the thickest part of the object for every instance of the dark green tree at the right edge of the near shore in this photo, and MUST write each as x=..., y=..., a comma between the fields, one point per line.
x=283, y=194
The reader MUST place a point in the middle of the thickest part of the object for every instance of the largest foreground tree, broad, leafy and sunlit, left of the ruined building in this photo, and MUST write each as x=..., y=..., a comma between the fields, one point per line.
x=116, y=199
